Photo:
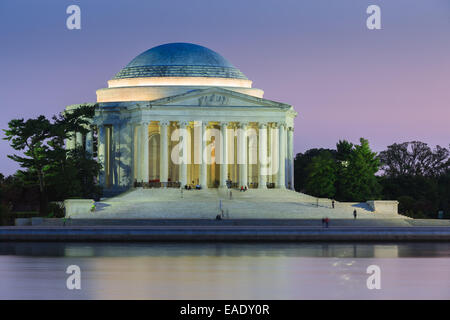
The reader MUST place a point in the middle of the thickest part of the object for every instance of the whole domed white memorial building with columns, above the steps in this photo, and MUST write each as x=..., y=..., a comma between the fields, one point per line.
x=180, y=115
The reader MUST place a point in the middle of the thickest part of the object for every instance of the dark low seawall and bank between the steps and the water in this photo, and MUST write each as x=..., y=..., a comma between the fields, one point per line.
x=257, y=230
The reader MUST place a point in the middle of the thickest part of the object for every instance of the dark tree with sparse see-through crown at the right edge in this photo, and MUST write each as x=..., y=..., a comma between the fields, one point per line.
x=418, y=177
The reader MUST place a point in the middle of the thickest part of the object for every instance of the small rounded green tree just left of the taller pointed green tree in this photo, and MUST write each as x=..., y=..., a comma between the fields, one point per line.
x=321, y=177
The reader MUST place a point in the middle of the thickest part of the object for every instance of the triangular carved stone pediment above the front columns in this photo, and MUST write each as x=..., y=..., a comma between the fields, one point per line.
x=217, y=97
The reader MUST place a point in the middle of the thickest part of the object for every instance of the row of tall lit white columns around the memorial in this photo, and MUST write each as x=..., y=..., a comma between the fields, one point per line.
x=192, y=153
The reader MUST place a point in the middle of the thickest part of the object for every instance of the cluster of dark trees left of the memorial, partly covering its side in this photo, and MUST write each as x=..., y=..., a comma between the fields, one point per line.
x=48, y=171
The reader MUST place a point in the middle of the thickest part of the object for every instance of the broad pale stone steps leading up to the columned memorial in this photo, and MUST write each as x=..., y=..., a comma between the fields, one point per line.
x=206, y=204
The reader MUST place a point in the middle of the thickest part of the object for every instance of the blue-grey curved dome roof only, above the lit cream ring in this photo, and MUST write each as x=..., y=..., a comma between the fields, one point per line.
x=180, y=60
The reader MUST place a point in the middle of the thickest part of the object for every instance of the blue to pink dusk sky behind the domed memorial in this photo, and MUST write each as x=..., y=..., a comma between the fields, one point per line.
x=345, y=81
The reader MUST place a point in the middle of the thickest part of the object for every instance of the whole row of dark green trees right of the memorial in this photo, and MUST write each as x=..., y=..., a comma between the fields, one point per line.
x=411, y=172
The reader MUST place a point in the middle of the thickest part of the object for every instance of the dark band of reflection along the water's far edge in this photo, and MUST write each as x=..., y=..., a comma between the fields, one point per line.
x=337, y=250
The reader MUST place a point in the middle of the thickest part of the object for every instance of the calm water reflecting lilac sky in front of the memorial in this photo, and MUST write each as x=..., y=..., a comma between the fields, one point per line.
x=225, y=270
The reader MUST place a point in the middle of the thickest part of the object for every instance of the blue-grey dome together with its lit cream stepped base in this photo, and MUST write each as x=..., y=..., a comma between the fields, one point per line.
x=171, y=69
